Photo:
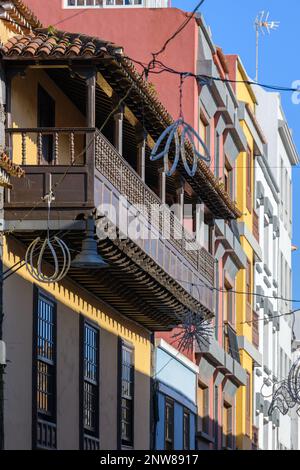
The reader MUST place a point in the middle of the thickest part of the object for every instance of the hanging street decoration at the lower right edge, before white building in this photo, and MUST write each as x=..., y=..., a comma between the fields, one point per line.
x=286, y=394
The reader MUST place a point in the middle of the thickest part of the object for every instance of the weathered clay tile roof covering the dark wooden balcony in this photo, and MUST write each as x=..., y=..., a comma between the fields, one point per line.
x=46, y=45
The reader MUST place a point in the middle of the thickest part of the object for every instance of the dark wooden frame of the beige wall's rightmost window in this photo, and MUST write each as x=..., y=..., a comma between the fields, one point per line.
x=122, y=443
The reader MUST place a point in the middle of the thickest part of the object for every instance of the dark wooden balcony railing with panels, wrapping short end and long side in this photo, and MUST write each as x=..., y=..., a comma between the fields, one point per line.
x=86, y=170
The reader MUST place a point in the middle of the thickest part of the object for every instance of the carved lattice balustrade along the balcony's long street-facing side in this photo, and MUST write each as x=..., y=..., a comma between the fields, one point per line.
x=200, y=263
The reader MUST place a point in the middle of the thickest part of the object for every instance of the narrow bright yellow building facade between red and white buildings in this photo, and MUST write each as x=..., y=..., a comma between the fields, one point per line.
x=245, y=177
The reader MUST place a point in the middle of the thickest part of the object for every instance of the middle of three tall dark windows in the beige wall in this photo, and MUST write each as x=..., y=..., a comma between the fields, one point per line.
x=90, y=355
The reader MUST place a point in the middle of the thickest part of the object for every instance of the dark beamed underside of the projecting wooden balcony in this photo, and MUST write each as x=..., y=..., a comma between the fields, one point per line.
x=133, y=283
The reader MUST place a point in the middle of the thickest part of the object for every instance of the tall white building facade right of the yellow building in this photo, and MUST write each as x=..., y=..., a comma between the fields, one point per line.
x=273, y=275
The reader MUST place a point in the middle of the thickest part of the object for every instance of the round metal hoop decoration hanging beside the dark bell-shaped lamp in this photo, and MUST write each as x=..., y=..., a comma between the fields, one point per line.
x=60, y=269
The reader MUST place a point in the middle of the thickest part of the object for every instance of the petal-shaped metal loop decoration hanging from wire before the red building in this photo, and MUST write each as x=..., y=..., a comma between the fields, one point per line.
x=180, y=132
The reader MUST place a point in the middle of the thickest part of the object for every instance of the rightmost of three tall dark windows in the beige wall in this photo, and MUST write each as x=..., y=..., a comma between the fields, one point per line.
x=127, y=394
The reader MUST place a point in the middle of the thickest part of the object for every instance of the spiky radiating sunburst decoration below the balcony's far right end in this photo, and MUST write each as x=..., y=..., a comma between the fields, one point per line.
x=194, y=327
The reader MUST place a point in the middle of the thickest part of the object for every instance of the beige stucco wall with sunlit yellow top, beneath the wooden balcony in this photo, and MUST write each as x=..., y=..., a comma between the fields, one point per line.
x=71, y=302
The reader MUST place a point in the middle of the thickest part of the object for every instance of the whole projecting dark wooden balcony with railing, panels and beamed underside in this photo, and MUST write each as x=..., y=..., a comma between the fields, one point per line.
x=84, y=170
